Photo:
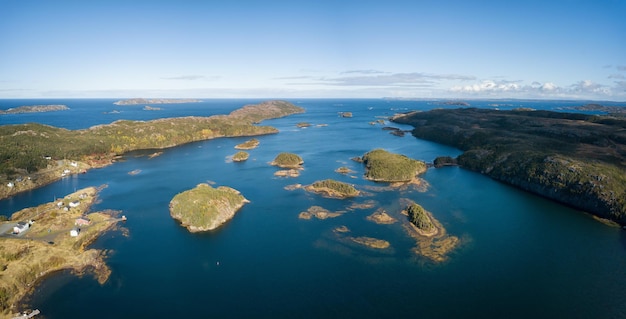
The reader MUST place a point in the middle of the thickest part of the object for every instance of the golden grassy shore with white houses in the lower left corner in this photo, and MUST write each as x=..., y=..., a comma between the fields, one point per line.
x=41, y=240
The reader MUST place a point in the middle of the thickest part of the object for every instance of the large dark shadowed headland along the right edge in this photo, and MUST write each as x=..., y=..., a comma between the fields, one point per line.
x=576, y=159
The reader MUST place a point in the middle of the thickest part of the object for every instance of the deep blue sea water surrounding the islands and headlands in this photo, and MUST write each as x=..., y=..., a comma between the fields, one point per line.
x=520, y=255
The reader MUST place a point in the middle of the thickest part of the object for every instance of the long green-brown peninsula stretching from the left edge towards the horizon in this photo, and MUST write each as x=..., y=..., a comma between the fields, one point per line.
x=32, y=155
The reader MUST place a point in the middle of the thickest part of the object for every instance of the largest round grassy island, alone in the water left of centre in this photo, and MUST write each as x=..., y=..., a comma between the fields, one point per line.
x=206, y=208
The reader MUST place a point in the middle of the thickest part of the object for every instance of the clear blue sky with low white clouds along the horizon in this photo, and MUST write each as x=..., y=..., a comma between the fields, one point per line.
x=535, y=49
